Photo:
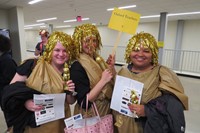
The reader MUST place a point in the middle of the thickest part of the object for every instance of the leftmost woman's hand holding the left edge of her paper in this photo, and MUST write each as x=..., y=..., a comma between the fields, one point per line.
x=29, y=104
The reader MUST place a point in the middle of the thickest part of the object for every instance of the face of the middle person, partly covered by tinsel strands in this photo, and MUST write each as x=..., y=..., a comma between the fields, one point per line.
x=89, y=45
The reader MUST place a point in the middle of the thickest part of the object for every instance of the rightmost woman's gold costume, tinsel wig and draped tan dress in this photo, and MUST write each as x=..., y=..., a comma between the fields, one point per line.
x=158, y=79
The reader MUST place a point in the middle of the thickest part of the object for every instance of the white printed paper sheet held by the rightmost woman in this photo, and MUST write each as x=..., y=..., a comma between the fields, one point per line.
x=122, y=92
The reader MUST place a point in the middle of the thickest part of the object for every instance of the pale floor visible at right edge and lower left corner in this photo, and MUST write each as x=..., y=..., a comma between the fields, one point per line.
x=192, y=89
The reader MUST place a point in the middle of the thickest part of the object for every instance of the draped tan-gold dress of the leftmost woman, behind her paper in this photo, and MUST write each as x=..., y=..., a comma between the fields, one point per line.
x=46, y=79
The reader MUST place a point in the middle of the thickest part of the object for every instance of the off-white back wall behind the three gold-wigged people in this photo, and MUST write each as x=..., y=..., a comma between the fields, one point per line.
x=191, y=37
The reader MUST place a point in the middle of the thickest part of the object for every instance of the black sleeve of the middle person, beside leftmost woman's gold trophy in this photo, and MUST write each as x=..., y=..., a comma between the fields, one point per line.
x=82, y=85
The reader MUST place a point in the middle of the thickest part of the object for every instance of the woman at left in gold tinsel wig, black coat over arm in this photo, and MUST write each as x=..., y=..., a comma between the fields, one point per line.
x=45, y=76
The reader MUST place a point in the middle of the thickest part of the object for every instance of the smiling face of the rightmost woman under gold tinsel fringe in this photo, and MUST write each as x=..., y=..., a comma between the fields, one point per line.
x=141, y=57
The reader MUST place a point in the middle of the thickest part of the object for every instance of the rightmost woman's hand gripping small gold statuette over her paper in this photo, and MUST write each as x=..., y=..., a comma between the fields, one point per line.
x=137, y=109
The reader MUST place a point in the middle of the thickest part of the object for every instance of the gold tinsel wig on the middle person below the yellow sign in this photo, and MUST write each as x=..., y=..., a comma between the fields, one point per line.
x=82, y=32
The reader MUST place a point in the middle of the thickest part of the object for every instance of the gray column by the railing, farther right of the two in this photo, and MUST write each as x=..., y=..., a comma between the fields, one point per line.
x=179, y=36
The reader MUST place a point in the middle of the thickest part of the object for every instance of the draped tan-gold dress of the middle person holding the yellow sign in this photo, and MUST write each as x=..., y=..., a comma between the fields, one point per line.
x=94, y=73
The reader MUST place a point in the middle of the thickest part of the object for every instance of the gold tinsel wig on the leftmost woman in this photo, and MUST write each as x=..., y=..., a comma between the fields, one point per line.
x=64, y=39
